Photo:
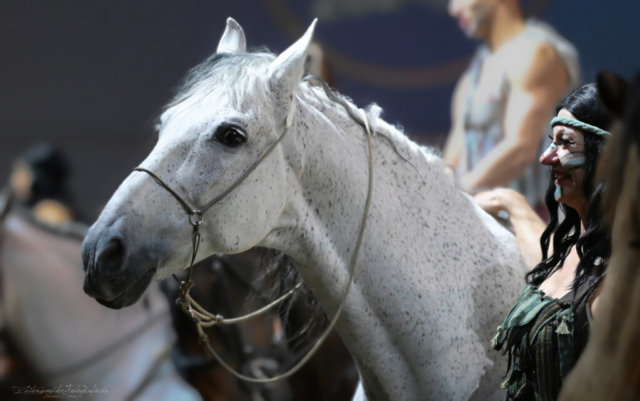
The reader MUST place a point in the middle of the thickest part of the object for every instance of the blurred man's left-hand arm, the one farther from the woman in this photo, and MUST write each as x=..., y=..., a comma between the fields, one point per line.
x=455, y=141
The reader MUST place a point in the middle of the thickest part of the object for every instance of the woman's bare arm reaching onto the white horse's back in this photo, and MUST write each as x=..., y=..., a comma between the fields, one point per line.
x=526, y=222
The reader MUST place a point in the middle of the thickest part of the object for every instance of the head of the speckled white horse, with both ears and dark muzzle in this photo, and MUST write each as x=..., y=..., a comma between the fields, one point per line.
x=228, y=113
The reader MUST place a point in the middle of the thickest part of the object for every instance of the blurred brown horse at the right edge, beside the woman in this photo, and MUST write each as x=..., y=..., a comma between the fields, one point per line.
x=609, y=369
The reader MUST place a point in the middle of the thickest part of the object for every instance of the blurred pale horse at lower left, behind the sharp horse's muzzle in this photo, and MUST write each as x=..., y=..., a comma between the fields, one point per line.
x=77, y=346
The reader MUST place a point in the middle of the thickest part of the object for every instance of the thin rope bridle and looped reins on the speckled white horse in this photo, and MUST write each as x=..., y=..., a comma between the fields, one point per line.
x=202, y=317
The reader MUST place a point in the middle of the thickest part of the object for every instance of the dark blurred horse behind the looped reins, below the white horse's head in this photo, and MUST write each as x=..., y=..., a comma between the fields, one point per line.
x=234, y=285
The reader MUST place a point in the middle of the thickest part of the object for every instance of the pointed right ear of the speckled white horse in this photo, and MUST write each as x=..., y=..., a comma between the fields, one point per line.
x=285, y=72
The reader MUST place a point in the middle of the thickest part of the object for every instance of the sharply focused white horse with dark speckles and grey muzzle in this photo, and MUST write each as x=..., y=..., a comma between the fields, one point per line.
x=436, y=275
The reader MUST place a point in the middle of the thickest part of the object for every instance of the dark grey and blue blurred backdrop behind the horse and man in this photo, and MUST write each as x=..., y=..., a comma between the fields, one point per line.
x=91, y=77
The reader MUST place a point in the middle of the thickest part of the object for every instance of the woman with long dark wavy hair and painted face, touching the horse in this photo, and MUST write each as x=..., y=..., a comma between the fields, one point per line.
x=547, y=329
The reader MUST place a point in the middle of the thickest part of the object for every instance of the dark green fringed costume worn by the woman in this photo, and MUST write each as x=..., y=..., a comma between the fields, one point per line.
x=544, y=338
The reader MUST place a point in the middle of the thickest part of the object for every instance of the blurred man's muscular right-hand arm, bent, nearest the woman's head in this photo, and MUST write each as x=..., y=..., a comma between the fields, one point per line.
x=538, y=79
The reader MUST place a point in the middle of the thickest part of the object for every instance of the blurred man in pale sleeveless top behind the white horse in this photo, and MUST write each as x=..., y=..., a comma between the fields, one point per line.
x=504, y=101
